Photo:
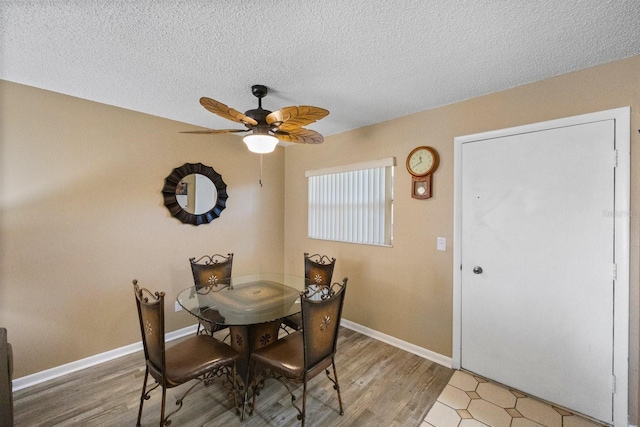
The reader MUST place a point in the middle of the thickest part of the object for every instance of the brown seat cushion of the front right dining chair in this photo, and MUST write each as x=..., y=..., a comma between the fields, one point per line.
x=286, y=357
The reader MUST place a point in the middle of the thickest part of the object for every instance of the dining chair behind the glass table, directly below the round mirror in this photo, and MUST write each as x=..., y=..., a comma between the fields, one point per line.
x=213, y=271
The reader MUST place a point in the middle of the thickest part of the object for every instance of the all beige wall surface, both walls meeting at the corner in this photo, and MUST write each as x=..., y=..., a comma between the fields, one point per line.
x=82, y=214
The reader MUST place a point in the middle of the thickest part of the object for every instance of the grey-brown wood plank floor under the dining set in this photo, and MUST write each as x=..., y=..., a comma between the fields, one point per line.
x=380, y=385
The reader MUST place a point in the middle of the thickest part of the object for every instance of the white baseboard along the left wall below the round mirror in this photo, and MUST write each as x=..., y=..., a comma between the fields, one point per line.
x=58, y=371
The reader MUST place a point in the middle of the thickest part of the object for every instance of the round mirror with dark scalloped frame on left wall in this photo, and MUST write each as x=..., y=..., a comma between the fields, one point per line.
x=195, y=193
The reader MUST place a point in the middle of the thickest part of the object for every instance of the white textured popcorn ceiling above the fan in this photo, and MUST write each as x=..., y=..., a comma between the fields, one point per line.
x=365, y=61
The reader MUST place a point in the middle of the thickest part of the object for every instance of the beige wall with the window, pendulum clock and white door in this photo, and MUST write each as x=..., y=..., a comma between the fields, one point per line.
x=406, y=291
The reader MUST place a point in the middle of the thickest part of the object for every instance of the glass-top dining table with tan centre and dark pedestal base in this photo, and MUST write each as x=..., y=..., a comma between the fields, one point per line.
x=252, y=306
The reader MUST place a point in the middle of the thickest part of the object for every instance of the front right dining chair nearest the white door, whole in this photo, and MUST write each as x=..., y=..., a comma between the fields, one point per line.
x=301, y=355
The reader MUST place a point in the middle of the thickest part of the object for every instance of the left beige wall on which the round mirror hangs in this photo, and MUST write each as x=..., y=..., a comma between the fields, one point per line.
x=83, y=215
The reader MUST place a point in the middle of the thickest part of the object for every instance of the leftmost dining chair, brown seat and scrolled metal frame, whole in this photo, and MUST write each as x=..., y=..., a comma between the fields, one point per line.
x=200, y=357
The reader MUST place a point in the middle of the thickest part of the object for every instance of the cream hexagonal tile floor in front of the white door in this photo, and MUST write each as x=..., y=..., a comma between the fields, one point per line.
x=472, y=401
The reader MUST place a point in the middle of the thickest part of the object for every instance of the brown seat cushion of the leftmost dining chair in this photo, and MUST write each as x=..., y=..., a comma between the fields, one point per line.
x=196, y=356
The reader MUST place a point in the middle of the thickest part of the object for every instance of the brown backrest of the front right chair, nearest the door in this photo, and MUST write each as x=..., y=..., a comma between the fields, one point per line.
x=321, y=322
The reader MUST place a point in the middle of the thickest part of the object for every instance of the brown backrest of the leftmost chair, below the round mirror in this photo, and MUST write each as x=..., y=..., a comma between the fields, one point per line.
x=151, y=315
